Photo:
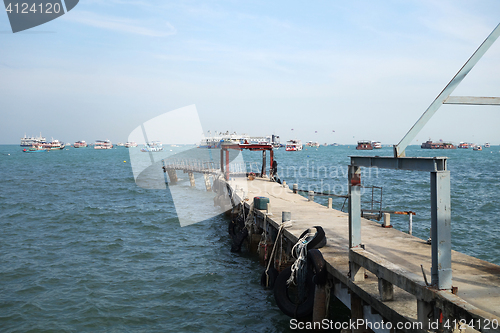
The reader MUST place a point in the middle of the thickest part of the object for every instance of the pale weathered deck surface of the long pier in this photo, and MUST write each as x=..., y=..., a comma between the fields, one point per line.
x=478, y=281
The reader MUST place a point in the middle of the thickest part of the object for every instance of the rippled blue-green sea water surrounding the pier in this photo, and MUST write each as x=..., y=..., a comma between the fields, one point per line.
x=84, y=249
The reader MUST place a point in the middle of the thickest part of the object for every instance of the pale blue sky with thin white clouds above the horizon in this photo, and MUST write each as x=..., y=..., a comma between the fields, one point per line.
x=327, y=71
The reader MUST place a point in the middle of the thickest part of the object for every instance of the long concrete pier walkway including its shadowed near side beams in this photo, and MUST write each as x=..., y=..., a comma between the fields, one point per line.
x=390, y=258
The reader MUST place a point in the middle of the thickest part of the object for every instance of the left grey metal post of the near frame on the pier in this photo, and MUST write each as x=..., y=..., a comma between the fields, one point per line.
x=354, y=206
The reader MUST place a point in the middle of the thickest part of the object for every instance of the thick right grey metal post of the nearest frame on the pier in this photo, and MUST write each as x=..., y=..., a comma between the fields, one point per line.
x=441, y=229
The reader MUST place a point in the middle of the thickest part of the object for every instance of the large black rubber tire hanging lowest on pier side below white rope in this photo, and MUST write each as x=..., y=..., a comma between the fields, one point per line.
x=289, y=308
